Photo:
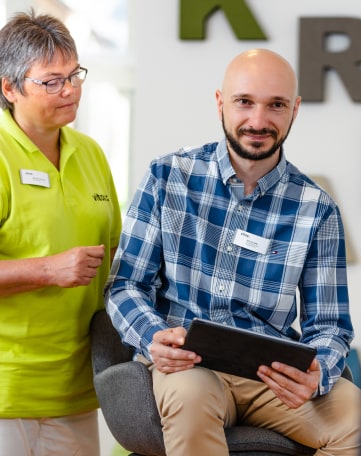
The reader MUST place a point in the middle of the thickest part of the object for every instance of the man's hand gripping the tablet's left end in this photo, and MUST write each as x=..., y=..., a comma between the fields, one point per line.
x=167, y=354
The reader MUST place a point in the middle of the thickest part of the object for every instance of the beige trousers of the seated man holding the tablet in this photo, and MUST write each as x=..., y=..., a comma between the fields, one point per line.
x=195, y=406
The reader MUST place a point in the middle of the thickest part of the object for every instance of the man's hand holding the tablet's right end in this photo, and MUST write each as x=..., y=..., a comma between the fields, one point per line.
x=292, y=386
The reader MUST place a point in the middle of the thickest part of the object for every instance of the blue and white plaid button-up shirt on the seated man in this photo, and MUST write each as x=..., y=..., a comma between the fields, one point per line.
x=178, y=258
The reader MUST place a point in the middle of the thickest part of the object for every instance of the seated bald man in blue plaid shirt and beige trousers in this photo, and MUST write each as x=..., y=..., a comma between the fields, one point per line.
x=181, y=257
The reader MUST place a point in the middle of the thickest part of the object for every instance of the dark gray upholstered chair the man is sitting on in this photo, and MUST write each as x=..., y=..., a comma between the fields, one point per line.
x=125, y=394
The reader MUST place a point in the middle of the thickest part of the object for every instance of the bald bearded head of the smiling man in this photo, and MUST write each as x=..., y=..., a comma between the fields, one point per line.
x=257, y=105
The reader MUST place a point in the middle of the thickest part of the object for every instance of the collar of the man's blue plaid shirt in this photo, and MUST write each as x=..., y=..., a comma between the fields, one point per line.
x=227, y=171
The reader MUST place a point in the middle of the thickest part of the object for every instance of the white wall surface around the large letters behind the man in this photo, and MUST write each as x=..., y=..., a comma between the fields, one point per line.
x=175, y=105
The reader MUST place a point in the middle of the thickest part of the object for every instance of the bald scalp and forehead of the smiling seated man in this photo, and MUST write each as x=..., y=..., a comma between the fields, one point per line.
x=266, y=68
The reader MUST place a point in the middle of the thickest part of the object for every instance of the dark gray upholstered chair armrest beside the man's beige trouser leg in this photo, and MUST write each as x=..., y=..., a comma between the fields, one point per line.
x=125, y=395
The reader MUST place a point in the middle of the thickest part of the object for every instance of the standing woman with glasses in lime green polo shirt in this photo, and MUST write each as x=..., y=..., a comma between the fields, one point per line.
x=59, y=228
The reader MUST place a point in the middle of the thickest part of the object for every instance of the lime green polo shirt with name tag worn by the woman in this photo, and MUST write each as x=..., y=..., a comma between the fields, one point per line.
x=45, y=365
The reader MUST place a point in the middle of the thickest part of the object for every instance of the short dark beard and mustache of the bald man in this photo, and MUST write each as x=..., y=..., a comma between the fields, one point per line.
x=244, y=153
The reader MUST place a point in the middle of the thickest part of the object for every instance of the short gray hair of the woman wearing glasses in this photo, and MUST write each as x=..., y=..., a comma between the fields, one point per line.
x=28, y=38
